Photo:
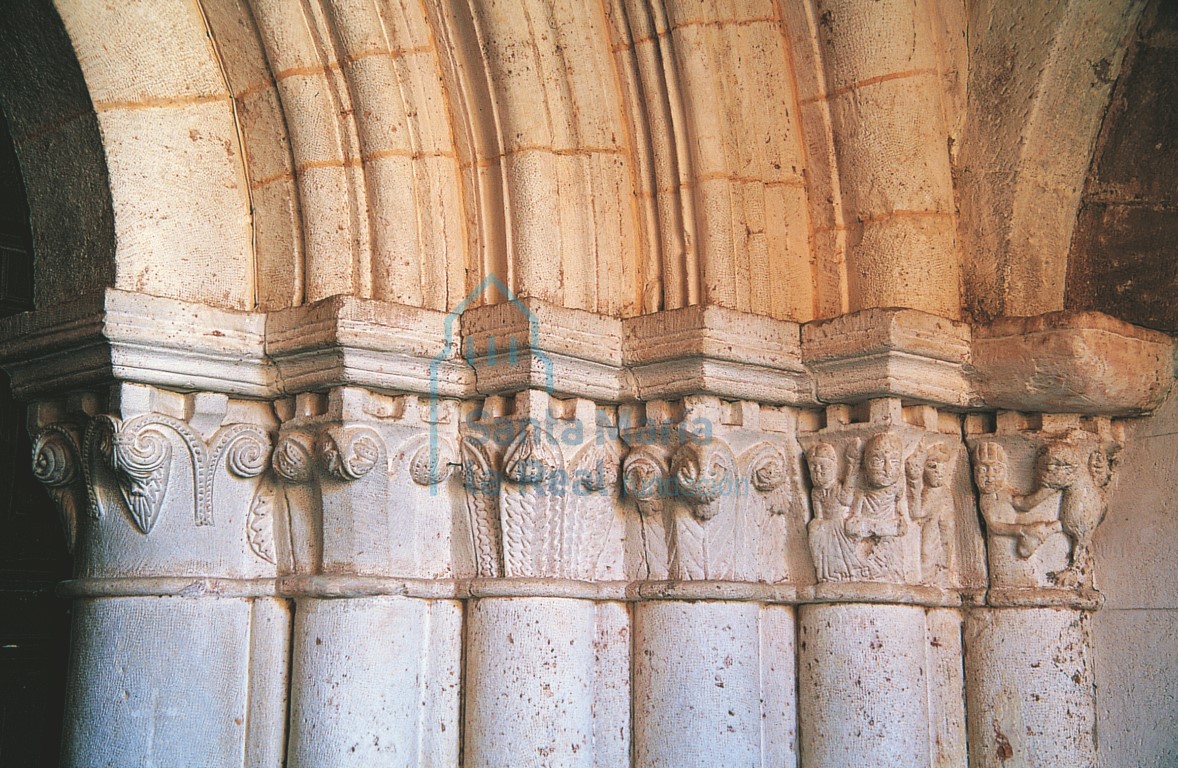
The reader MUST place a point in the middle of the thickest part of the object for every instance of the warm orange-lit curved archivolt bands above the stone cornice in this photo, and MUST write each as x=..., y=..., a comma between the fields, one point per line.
x=780, y=157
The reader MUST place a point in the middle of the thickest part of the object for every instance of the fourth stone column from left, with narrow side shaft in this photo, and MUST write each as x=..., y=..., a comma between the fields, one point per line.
x=713, y=684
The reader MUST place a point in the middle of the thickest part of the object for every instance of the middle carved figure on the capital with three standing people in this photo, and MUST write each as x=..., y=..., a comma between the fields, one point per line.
x=879, y=514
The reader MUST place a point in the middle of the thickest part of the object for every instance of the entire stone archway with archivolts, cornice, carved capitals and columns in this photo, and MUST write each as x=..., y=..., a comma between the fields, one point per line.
x=750, y=455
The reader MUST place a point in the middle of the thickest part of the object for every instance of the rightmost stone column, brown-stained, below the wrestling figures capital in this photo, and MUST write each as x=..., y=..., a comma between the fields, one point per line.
x=1030, y=696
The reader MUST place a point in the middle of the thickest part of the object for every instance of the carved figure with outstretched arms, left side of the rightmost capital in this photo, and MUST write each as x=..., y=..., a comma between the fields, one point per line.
x=1001, y=505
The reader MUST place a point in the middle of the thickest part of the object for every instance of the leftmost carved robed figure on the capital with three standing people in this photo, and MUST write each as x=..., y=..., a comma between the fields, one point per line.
x=836, y=558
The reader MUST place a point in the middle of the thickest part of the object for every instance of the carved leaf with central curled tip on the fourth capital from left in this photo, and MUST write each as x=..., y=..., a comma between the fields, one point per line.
x=705, y=538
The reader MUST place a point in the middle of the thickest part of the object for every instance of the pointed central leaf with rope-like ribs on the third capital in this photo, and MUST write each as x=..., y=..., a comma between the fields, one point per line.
x=532, y=506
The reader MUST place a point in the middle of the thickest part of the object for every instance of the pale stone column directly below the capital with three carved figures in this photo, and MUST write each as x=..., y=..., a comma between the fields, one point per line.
x=864, y=686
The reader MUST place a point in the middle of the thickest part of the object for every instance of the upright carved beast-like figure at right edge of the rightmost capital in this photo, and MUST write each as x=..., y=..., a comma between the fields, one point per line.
x=1082, y=507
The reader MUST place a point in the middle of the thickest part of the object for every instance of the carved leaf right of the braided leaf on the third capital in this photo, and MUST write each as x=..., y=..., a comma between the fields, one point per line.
x=591, y=514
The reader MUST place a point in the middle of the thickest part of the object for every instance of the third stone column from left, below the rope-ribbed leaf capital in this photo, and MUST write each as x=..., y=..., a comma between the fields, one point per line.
x=531, y=683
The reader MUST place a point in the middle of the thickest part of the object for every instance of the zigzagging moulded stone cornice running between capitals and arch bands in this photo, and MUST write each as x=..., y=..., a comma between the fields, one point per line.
x=1066, y=362
